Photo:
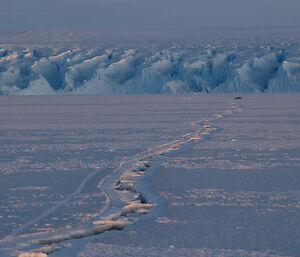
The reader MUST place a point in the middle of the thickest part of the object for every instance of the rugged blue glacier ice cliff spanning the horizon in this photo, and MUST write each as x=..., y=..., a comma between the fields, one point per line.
x=217, y=67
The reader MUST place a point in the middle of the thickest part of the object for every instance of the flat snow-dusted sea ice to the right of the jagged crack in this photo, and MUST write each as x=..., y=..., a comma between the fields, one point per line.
x=235, y=193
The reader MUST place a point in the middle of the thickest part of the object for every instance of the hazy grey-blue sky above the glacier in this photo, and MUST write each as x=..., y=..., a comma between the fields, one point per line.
x=146, y=14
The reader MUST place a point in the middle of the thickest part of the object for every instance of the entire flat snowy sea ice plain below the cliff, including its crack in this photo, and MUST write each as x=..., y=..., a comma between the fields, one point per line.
x=150, y=175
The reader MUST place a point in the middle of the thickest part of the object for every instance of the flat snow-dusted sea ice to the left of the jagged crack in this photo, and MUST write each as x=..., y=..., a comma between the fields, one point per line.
x=56, y=149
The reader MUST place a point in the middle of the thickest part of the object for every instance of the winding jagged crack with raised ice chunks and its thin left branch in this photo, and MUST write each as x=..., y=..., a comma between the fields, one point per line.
x=126, y=199
